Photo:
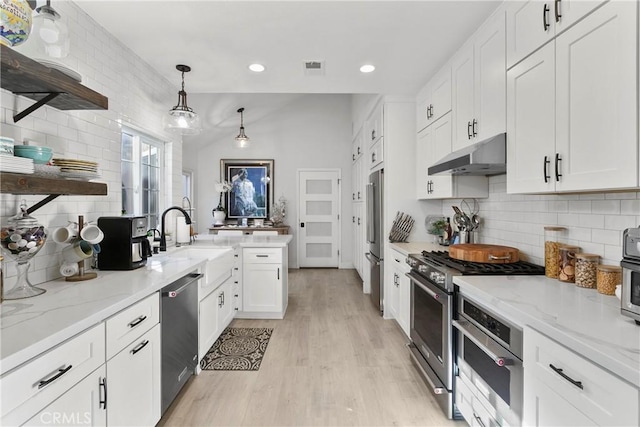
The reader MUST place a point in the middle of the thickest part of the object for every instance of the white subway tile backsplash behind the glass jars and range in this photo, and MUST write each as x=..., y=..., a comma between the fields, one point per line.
x=594, y=221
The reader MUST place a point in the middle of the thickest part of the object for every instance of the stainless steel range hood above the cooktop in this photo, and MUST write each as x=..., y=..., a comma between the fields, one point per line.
x=488, y=157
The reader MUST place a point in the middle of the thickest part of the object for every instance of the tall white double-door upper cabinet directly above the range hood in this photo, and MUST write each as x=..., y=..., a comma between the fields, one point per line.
x=479, y=85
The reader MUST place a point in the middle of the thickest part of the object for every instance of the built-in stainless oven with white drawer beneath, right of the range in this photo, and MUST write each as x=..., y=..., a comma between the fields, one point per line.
x=489, y=360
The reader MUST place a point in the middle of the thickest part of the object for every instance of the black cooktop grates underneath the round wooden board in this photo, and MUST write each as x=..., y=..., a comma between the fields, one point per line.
x=480, y=268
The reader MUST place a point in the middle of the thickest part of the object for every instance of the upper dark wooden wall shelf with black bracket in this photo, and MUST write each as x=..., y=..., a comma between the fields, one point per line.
x=24, y=76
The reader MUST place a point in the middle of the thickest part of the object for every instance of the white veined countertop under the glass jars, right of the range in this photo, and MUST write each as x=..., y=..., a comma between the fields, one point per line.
x=582, y=319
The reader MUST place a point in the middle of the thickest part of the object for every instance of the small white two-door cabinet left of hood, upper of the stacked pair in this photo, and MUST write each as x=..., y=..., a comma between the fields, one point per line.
x=434, y=100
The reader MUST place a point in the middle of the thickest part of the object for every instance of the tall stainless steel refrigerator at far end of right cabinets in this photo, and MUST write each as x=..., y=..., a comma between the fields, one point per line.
x=375, y=228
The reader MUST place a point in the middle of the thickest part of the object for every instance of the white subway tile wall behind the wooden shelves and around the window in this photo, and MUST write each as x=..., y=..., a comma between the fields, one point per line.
x=137, y=95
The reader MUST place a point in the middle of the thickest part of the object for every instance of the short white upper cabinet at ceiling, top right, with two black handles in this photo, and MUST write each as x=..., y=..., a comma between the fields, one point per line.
x=531, y=24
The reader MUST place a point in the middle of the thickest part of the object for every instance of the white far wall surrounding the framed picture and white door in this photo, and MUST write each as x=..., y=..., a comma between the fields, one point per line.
x=313, y=131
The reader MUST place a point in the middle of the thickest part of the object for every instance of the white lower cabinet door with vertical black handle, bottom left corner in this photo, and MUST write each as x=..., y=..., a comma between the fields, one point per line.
x=82, y=405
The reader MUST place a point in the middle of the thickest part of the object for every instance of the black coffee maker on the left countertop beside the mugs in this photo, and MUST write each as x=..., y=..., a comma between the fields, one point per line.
x=125, y=245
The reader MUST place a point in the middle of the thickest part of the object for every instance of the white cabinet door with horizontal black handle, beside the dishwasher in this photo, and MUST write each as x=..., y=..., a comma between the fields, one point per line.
x=133, y=382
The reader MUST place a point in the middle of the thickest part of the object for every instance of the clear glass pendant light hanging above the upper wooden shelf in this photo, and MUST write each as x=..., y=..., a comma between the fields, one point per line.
x=50, y=35
